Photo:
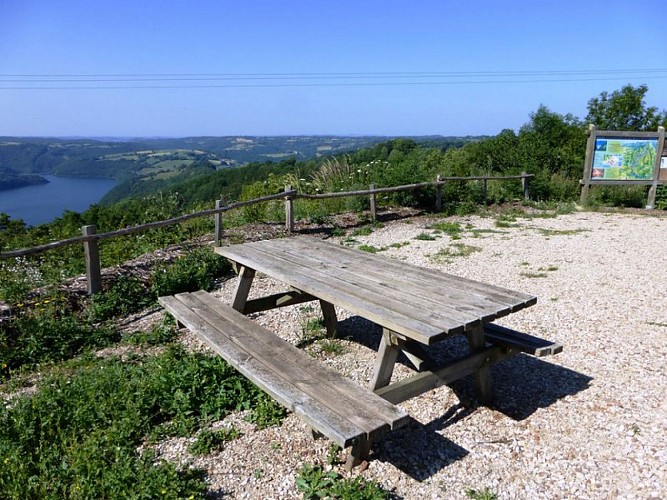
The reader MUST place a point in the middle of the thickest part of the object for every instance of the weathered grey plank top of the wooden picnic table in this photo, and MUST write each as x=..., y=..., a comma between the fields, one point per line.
x=423, y=304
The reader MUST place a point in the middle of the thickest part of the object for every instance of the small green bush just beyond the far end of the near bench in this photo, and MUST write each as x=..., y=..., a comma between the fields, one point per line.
x=197, y=270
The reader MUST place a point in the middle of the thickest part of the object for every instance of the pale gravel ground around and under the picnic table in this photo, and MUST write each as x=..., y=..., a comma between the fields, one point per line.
x=590, y=422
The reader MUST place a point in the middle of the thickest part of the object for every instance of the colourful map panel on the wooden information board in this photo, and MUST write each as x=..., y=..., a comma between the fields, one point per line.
x=624, y=159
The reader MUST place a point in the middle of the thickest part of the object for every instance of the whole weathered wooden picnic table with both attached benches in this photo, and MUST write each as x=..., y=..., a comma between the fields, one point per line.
x=416, y=308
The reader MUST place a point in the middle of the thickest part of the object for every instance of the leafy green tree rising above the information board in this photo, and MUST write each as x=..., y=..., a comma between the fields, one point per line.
x=625, y=109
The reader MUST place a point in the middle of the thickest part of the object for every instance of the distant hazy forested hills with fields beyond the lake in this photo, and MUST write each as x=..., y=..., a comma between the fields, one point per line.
x=158, y=163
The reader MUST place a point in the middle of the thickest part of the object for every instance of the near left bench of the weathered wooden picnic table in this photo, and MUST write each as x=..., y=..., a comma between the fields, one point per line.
x=331, y=404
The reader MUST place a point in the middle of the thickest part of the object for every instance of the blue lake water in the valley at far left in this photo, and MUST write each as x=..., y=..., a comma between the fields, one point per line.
x=43, y=203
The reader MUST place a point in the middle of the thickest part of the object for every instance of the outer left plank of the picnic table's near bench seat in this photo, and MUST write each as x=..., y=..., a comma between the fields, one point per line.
x=325, y=420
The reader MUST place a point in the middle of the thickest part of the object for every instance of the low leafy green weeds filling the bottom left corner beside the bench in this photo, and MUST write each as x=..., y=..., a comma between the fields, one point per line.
x=77, y=436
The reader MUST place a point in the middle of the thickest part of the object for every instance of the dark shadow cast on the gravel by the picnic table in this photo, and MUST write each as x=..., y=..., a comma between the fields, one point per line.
x=522, y=385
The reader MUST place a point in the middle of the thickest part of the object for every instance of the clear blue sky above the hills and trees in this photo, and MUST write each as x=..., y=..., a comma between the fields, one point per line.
x=249, y=67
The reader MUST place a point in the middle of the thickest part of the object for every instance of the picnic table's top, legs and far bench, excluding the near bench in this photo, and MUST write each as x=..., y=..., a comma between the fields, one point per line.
x=415, y=306
